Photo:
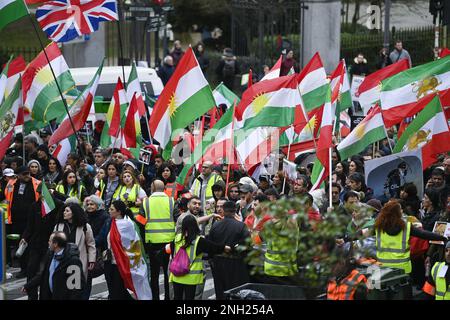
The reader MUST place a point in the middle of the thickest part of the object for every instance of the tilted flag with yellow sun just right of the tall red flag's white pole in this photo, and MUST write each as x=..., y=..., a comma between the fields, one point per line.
x=368, y=131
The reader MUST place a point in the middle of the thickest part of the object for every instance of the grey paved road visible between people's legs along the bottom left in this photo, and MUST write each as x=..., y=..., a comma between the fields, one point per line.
x=99, y=289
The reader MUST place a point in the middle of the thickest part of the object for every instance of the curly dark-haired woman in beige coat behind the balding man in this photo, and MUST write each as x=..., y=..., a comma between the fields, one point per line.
x=73, y=222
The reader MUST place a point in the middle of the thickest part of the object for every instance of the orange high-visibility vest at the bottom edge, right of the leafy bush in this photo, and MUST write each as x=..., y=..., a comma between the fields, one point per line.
x=346, y=289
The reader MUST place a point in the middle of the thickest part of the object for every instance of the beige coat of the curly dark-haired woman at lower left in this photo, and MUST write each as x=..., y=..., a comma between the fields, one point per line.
x=85, y=243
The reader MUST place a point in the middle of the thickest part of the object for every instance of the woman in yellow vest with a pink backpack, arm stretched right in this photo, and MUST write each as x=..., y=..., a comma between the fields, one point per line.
x=189, y=239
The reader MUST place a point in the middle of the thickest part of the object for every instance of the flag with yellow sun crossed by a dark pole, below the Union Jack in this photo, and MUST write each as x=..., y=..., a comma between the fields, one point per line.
x=40, y=93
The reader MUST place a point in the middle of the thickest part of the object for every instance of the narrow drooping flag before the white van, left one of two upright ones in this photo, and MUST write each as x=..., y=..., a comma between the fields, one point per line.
x=115, y=117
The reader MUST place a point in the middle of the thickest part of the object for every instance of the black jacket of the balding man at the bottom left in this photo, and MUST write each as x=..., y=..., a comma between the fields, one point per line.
x=61, y=277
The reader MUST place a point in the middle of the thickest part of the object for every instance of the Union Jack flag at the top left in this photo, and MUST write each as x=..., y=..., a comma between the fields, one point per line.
x=65, y=20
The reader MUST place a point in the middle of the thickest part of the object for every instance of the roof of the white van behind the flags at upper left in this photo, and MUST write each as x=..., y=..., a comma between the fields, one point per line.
x=109, y=75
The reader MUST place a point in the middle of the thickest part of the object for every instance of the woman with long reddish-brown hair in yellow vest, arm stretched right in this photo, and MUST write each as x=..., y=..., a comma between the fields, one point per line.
x=393, y=235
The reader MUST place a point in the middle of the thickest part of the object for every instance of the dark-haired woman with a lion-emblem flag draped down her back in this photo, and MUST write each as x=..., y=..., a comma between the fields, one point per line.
x=125, y=266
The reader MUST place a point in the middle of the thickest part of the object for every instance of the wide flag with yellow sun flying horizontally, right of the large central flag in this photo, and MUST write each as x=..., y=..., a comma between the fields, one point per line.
x=274, y=103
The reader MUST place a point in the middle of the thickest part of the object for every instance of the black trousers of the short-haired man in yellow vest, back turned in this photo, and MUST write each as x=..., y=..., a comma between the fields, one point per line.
x=158, y=258
